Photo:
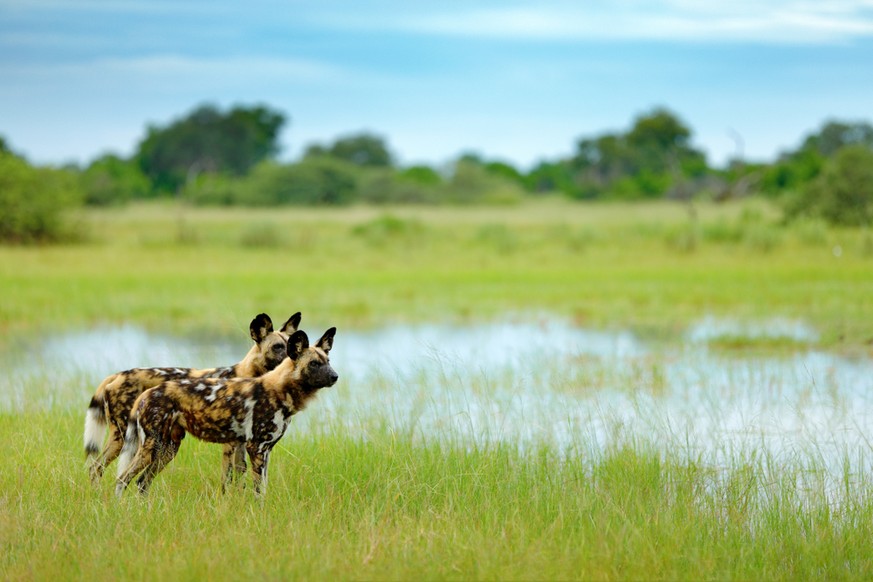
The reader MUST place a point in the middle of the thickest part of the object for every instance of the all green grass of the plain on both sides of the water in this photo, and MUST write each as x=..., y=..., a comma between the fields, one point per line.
x=366, y=501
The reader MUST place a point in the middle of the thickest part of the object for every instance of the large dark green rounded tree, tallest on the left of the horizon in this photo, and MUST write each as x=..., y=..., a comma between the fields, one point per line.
x=211, y=142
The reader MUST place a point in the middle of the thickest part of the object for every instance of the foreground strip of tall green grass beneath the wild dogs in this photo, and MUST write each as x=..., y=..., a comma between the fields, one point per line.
x=372, y=505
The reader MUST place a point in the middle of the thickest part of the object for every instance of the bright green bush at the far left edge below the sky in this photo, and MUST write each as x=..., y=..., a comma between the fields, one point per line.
x=33, y=201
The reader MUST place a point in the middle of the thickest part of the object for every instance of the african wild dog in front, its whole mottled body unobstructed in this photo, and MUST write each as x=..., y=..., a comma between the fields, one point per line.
x=250, y=412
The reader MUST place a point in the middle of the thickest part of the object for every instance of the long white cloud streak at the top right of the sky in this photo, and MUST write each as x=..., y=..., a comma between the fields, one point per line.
x=676, y=20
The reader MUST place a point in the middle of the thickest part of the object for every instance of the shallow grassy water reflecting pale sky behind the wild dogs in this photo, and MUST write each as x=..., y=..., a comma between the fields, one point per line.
x=522, y=381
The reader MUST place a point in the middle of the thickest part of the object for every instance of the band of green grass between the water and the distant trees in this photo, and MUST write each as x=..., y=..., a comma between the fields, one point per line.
x=620, y=266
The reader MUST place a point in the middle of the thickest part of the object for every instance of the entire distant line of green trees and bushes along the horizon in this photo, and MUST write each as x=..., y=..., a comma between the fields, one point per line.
x=214, y=157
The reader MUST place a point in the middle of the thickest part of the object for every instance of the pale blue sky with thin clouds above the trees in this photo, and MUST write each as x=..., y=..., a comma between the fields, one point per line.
x=517, y=81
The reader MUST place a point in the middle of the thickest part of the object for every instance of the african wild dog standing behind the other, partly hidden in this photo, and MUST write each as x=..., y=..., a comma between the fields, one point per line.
x=115, y=396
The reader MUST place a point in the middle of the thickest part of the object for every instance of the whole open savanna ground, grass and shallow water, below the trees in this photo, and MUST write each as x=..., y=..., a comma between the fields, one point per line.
x=447, y=466
